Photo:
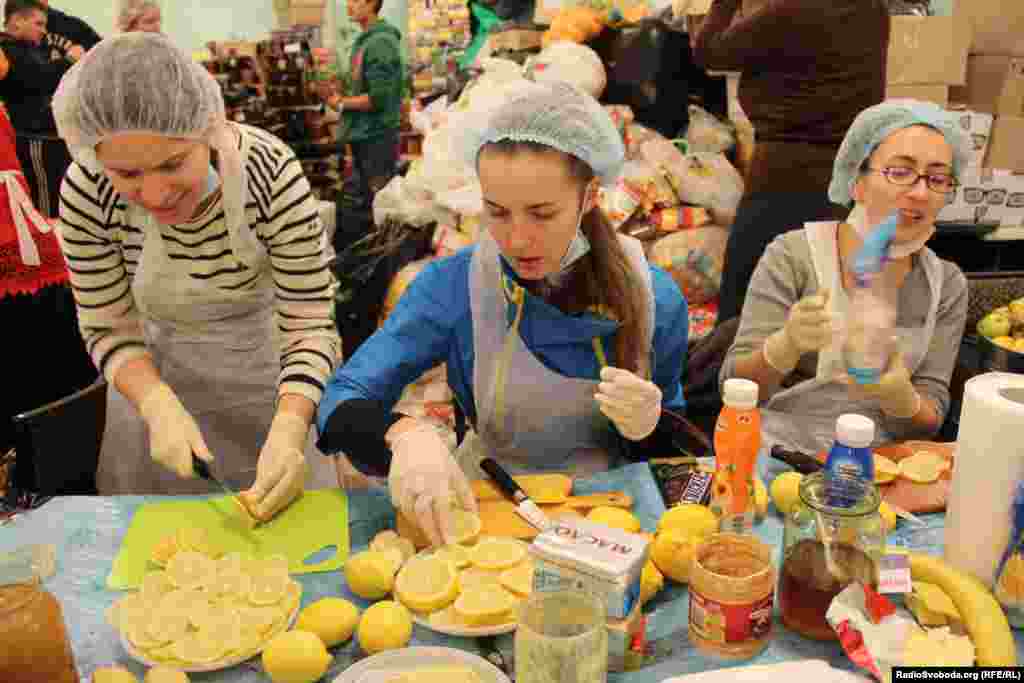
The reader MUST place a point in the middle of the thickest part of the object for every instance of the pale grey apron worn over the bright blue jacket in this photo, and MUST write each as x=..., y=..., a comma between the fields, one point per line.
x=552, y=422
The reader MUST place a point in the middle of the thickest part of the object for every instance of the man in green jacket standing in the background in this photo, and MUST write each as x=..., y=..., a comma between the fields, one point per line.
x=372, y=108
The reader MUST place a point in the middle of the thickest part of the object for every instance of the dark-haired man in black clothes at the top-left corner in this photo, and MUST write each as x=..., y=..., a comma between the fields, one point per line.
x=33, y=75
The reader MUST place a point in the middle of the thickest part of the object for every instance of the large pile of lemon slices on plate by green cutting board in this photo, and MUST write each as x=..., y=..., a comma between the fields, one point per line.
x=201, y=611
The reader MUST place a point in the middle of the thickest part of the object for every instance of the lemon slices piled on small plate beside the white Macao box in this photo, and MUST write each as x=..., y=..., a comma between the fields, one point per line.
x=467, y=587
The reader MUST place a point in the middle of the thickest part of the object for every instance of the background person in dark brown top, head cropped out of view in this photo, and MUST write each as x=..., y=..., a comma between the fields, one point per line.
x=808, y=68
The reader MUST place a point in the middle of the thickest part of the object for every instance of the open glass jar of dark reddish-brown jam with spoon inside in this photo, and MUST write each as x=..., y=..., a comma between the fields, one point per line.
x=833, y=539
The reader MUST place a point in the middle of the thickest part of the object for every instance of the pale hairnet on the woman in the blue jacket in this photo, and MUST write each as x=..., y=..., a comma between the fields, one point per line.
x=554, y=114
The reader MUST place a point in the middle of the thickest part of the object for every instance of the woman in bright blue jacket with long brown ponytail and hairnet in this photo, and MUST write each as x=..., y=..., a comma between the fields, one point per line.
x=563, y=345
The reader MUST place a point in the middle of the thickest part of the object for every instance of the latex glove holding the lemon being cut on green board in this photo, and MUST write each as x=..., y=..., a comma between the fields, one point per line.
x=281, y=472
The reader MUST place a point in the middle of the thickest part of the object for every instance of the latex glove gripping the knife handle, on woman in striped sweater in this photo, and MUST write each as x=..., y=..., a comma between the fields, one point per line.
x=175, y=437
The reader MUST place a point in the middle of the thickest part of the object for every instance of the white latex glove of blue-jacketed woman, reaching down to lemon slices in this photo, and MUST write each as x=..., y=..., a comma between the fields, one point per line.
x=425, y=482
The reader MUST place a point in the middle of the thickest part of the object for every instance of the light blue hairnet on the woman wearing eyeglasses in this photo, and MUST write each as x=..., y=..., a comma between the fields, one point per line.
x=877, y=123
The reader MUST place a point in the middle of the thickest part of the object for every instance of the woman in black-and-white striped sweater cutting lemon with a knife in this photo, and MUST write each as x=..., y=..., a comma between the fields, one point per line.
x=198, y=264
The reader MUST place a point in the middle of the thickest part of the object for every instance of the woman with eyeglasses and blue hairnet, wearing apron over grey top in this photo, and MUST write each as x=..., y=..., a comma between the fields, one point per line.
x=903, y=157
